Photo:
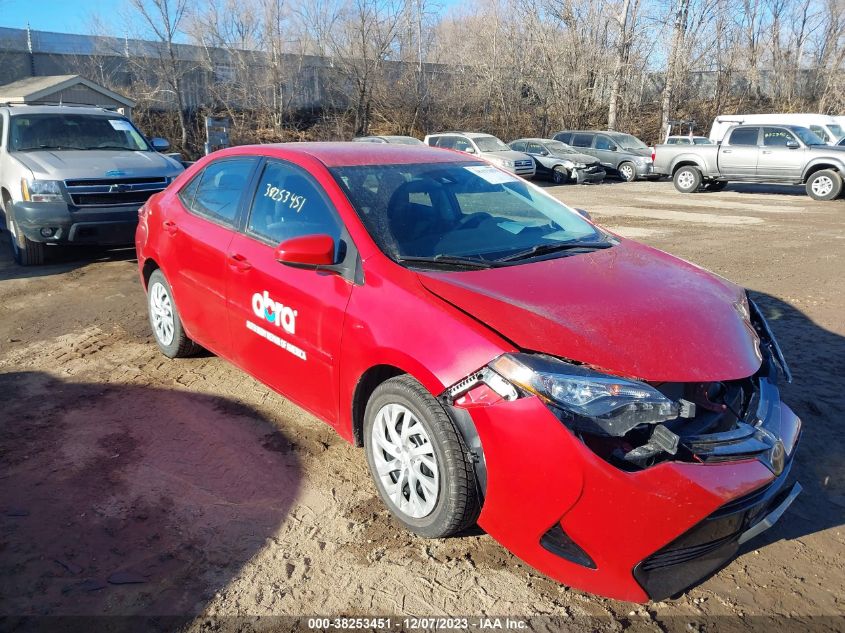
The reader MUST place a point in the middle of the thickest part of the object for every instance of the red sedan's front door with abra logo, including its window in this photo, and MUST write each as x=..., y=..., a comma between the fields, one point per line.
x=287, y=322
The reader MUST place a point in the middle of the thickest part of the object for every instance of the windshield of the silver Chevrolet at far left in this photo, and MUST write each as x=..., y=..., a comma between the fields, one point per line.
x=73, y=131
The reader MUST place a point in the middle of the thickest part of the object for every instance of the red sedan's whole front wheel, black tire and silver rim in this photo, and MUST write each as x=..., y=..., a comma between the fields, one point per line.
x=418, y=460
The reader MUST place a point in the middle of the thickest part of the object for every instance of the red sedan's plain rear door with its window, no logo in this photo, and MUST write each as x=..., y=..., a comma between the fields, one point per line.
x=196, y=233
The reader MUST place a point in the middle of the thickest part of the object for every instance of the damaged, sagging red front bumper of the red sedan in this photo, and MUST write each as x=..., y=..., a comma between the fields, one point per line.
x=562, y=509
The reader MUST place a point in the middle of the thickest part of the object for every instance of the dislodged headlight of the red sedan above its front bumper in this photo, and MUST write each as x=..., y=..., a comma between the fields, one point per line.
x=587, y=400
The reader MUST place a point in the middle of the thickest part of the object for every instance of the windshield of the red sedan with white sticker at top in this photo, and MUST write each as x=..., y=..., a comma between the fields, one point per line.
x=458, y=210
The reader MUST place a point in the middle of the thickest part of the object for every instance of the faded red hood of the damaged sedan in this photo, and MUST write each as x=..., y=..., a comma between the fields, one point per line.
x=629, y=310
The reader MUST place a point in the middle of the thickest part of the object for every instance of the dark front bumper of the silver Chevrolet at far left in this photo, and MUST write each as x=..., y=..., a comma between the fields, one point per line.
x=66, y=224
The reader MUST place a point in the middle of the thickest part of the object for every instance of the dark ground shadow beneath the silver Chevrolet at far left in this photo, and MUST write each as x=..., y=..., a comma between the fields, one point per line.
x=58, y=259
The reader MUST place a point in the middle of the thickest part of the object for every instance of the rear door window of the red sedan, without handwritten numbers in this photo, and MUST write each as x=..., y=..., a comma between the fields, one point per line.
x=217, y=192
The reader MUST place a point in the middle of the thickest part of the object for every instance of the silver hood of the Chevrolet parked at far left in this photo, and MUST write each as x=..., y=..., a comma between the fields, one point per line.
x=70, y=164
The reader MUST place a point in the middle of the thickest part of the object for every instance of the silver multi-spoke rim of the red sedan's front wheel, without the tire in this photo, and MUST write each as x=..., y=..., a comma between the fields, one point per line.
x=405, y=461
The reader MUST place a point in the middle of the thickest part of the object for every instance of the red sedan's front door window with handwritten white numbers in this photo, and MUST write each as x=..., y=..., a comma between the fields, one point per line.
x=288, y=203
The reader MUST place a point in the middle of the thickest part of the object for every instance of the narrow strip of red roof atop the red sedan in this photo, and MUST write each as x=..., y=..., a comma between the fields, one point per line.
x=348, y=154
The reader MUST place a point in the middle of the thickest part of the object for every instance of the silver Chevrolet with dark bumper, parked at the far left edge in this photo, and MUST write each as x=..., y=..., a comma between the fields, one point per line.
x=74, y=175
